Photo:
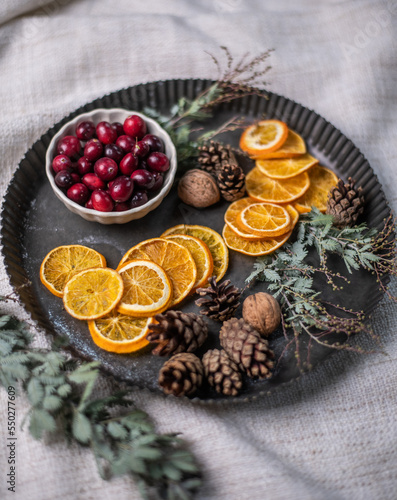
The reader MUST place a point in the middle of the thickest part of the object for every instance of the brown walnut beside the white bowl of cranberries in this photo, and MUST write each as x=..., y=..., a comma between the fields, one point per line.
x=198, y=189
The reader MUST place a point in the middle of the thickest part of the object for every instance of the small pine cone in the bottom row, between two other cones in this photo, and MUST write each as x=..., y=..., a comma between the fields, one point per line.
x=222, y=373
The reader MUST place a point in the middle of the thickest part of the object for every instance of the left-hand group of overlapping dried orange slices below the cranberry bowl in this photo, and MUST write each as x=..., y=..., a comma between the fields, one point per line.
x=152, y=276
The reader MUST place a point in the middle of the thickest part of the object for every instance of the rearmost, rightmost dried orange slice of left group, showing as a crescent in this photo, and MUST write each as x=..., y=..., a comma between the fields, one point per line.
x=214, y=241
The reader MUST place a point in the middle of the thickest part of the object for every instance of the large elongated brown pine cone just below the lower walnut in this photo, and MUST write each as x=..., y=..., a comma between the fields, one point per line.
x=245, y=347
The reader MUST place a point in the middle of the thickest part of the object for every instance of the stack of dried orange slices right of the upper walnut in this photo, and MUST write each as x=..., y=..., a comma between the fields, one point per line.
x=285, y=182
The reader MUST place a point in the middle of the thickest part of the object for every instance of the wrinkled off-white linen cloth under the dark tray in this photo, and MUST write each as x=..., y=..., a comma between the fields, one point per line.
x=331, y=435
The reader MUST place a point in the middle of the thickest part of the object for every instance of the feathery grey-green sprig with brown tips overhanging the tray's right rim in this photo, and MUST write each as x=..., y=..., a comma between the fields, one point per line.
x=291, y=278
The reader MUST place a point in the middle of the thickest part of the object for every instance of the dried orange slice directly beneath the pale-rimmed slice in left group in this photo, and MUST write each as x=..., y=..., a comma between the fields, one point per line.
x=175, y=259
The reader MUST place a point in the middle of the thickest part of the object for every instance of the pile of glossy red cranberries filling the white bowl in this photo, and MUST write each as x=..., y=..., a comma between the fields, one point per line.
x=110, y=166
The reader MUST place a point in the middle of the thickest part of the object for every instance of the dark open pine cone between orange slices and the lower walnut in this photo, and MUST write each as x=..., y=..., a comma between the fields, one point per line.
x=223, y=300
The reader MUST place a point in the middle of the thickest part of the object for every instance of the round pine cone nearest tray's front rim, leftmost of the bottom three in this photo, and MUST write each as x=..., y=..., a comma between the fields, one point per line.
x=181, y=375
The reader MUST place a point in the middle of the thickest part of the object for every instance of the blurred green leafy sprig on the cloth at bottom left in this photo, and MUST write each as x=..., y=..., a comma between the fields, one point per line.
x=61, y=393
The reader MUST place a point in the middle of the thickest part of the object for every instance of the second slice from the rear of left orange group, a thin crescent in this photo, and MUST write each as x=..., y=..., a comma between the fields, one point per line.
x=201, y=255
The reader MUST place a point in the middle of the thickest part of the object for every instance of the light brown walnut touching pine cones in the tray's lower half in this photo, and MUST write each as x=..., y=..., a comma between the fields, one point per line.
x=262, y=311
